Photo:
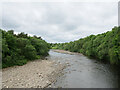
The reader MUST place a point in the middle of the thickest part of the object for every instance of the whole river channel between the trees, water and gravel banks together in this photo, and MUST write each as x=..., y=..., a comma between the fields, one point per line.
x=61, y=69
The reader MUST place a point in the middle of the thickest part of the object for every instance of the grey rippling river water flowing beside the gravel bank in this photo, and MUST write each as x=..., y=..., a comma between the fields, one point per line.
x=83, y=72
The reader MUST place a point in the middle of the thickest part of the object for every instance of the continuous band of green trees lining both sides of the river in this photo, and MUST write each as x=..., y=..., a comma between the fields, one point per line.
x=18, y=49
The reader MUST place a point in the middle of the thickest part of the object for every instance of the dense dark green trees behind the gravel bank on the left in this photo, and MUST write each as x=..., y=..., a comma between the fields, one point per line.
x=18, y=49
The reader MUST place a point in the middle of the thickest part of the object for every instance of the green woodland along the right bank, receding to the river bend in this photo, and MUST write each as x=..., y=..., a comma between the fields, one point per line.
x=104, y=47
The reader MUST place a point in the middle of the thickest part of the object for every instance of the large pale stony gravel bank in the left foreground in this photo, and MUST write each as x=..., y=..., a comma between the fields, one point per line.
x=35, y=74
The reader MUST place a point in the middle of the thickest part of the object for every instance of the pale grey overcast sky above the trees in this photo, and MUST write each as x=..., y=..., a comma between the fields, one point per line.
x=60, y=22
